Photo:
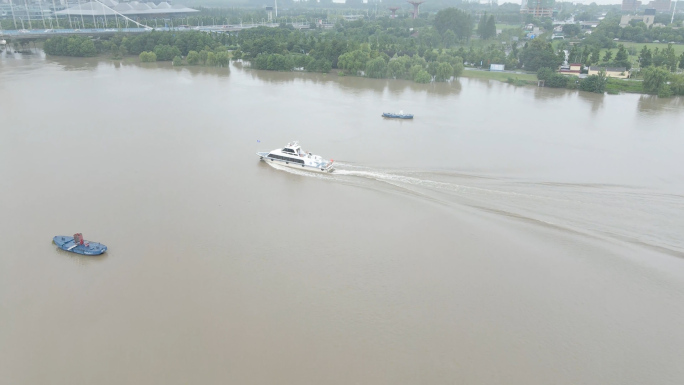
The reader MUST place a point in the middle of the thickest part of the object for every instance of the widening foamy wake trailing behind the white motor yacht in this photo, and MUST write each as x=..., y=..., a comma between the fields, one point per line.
x=631, y=214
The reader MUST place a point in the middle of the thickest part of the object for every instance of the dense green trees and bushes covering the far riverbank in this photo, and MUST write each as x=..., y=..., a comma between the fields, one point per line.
x=434, y=47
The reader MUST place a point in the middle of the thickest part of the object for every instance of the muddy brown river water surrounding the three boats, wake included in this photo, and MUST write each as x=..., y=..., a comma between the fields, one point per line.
x=506, y=235
